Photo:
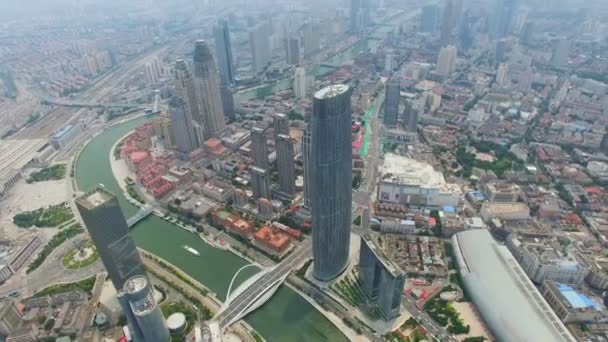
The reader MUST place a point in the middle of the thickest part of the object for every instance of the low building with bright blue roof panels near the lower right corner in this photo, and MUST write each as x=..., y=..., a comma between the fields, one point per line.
x=573, y=306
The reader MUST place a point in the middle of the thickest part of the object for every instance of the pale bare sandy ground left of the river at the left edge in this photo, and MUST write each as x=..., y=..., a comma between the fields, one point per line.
x=27, y=197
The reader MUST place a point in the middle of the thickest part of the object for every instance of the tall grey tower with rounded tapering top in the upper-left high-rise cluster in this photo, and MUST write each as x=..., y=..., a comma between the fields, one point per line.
x=207, y=85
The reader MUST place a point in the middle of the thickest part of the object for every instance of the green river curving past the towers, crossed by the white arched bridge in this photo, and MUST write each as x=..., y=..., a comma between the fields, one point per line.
x=286, y=317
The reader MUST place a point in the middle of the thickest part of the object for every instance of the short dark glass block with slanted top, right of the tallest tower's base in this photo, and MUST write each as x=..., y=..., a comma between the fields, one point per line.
x=382, y=280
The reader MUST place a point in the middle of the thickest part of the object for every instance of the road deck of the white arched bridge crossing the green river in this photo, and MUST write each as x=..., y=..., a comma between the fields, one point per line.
x=246, y=298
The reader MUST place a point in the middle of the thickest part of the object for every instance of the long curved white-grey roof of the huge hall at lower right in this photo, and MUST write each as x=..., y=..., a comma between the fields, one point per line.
x=508, y=301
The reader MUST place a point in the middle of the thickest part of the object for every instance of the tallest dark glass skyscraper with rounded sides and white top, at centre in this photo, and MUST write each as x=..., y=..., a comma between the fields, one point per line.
x=331, y=180
